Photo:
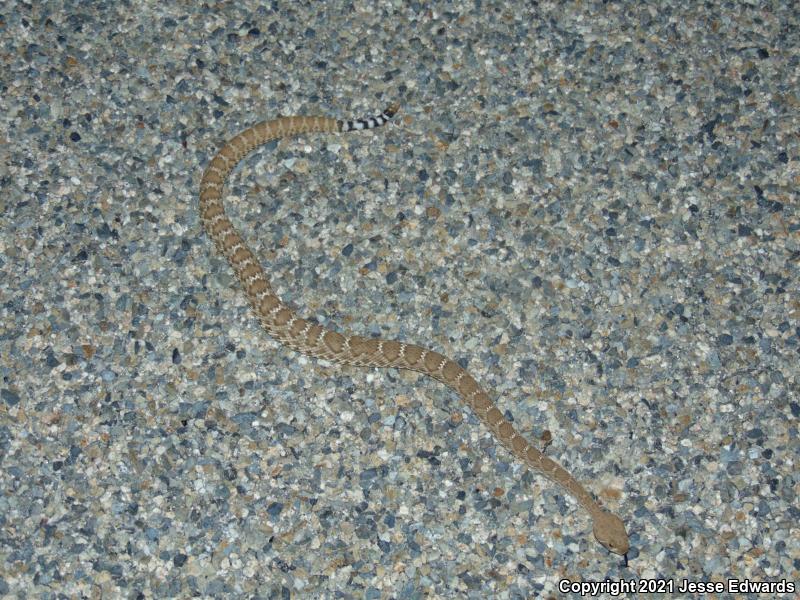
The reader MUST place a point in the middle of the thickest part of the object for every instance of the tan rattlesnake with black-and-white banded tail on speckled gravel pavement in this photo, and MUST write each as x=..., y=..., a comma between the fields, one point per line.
x=307, y=337
